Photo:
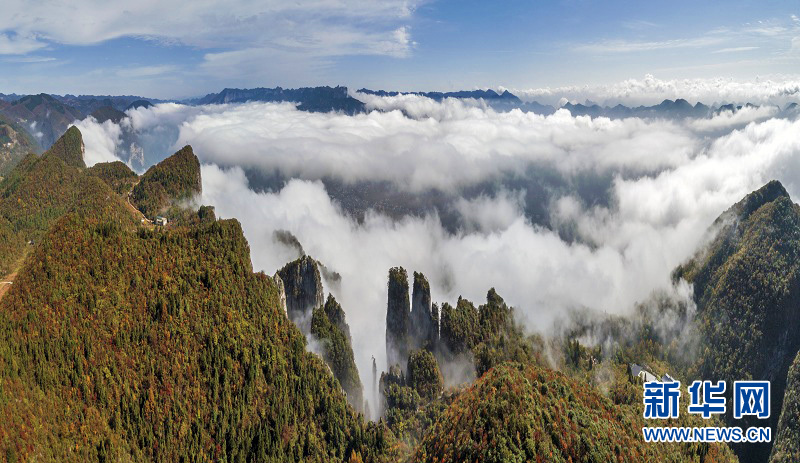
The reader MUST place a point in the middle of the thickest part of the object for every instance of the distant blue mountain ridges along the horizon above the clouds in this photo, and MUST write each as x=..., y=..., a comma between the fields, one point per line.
x=46, y=117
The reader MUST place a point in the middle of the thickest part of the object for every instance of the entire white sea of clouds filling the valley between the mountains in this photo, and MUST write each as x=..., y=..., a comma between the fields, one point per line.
x=663, y=183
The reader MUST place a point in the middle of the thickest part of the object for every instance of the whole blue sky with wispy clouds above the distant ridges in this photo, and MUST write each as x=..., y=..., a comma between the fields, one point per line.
x=166, y=50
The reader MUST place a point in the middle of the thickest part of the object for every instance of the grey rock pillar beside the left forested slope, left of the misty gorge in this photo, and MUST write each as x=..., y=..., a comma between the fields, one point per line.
x=303, y=288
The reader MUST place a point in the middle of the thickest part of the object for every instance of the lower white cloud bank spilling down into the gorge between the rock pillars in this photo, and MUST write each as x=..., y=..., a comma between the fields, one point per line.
x=655, y=223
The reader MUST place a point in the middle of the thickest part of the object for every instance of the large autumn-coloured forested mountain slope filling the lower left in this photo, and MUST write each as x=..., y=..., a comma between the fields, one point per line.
x=124, y=343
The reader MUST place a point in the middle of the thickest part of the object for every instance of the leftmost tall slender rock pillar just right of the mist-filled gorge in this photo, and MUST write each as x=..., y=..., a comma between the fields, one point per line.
x=398, y=321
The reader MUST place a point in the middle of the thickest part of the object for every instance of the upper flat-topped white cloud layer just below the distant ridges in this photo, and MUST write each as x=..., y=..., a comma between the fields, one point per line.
x=445, y=146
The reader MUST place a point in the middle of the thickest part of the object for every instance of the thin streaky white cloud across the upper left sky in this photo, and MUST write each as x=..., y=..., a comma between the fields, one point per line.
x=288, y=32
